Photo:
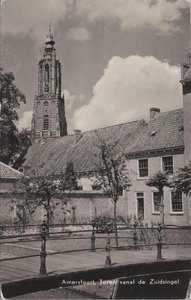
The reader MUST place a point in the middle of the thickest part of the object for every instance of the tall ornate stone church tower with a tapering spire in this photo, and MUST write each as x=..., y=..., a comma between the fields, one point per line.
x=49, y=119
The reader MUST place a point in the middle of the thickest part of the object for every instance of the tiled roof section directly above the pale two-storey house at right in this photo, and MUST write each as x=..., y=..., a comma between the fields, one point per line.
x=165, y=131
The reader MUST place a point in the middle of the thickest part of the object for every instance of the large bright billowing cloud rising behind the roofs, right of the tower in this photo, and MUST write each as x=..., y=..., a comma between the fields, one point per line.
x=127, y=90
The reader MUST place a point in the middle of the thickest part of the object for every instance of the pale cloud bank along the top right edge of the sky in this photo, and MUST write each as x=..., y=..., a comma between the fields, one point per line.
x=131, y=14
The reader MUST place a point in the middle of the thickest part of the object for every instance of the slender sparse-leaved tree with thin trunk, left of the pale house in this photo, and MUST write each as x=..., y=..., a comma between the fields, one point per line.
x=111, y=173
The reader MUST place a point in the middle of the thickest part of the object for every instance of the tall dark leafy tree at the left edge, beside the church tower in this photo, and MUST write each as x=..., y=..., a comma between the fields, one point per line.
x=10, y=100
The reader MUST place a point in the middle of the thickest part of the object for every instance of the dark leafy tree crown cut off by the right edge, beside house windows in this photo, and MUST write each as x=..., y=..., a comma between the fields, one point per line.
x=181, y=180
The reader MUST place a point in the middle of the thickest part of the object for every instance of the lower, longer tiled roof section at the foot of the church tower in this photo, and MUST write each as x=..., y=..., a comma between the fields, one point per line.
x=52, y=155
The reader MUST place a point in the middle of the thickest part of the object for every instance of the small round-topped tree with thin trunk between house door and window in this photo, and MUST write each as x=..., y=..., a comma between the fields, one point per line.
x=159, y=181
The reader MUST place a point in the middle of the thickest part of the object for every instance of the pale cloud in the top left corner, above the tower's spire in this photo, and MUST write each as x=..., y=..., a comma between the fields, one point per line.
x=33, y=17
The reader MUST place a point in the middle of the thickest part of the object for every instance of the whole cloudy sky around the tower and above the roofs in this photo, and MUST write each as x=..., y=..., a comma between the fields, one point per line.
x=119, y=57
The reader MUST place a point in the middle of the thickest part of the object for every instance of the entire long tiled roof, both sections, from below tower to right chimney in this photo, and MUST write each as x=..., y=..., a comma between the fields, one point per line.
x=165, y=131
